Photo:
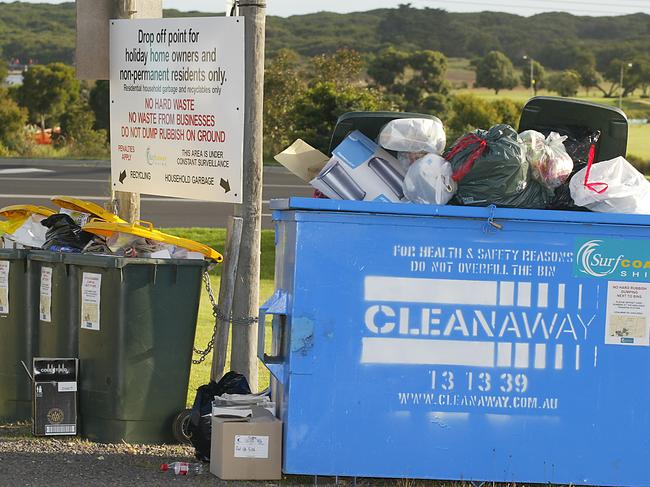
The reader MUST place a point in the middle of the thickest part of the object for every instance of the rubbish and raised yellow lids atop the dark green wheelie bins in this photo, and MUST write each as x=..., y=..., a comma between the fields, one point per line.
x=84, y=227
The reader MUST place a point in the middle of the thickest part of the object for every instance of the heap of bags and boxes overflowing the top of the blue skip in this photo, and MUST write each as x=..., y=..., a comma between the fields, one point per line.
x=410, y=161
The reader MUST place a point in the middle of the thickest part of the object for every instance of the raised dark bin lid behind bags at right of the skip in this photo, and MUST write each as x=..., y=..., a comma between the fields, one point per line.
x=543, y=113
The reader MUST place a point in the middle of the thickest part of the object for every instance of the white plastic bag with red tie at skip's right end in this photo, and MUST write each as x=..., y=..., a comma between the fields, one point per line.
x=613, y=186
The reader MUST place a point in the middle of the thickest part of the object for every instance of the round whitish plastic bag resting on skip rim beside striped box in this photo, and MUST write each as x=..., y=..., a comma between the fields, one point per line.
x=429, y=181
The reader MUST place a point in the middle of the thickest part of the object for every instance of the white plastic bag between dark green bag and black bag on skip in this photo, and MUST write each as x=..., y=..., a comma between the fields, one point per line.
x=550, y=163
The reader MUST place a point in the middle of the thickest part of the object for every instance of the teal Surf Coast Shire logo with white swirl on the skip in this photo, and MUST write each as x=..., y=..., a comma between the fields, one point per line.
x=596, y=258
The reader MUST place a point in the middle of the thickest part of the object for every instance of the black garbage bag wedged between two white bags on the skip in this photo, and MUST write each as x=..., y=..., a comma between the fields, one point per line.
x=581, y=147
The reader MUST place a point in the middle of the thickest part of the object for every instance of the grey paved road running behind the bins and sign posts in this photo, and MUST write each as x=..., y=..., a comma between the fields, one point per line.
x=35, y=181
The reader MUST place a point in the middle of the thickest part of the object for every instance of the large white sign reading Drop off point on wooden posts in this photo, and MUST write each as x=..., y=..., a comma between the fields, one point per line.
x=177, y=107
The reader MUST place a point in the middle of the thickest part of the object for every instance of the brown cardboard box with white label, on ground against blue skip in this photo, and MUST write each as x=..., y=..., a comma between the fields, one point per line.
x=247, y=448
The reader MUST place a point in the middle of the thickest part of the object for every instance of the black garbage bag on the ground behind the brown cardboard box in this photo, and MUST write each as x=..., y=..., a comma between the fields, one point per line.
x=200, y=425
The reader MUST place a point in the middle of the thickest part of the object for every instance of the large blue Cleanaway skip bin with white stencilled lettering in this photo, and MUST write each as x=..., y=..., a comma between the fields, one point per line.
x=461, y=343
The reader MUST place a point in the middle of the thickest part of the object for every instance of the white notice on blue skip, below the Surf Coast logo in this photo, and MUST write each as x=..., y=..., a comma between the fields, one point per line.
x=628, y=304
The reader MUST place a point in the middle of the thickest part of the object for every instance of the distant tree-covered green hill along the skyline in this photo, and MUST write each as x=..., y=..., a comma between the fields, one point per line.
x=46, y=33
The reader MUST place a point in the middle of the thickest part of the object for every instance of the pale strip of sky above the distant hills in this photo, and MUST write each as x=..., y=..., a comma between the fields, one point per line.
x=286, y=8
